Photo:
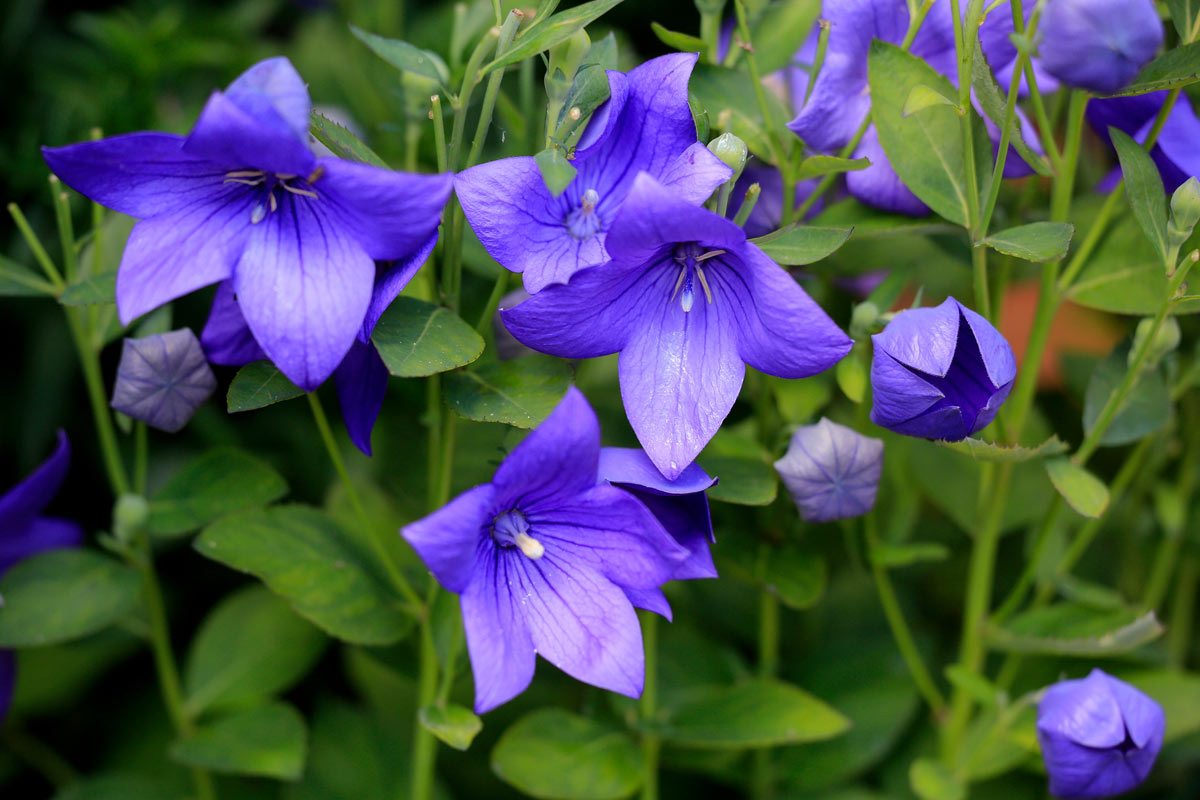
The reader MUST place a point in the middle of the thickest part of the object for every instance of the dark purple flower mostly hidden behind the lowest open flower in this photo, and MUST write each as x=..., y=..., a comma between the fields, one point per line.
x=681, y=506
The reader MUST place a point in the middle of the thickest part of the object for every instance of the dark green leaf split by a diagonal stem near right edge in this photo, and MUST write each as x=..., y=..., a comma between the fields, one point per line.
x=1147, y=410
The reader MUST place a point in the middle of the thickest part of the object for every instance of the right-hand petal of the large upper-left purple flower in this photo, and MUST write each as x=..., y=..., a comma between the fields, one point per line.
x=392, y=215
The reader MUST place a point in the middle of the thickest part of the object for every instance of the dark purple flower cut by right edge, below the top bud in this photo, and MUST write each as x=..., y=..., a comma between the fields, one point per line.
x=1175, y=152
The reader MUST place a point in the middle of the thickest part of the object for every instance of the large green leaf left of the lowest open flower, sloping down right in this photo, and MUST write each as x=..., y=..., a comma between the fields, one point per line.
x=302, y=556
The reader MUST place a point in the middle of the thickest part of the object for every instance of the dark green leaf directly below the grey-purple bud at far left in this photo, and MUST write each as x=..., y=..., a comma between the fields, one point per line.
x=219, y=483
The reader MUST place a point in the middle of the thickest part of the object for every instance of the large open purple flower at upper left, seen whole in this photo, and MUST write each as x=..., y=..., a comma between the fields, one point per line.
x=243, y=199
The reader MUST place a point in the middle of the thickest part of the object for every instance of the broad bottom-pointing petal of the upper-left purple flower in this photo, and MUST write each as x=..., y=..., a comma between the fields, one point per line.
x=304, y=286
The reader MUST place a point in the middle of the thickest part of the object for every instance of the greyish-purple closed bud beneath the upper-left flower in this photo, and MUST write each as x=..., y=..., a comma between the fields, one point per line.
x=163, y=380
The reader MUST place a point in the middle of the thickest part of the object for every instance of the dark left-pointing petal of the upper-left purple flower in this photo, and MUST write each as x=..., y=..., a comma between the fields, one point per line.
x=140, y=175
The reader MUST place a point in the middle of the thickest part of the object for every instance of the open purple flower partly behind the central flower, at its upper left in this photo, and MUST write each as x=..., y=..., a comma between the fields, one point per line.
x=645, y=127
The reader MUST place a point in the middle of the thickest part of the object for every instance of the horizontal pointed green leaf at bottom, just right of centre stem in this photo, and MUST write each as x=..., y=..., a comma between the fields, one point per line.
x=759, y=713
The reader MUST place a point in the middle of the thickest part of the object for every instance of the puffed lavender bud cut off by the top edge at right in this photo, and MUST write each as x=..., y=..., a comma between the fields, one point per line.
x=1099, y=45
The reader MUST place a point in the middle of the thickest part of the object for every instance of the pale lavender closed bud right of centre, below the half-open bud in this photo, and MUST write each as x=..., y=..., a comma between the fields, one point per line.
x=832, y=472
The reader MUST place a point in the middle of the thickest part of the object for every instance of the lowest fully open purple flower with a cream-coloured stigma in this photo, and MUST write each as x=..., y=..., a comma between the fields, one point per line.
x=543, y=558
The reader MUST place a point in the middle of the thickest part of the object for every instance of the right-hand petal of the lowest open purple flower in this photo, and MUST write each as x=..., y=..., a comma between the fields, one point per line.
x=611, y=532
